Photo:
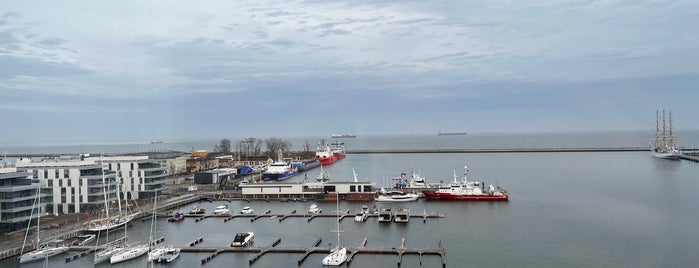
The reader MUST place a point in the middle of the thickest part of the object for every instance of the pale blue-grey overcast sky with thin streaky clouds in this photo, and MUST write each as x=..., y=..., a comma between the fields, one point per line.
x=162, y=70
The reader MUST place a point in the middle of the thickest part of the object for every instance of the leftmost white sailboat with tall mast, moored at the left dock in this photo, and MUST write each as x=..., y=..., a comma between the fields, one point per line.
x=44, y=250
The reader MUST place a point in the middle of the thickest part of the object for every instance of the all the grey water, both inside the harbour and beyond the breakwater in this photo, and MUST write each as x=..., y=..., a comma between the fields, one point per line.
x=566, y=209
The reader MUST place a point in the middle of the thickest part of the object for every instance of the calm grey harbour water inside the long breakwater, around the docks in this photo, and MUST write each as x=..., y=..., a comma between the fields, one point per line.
x=526, y=226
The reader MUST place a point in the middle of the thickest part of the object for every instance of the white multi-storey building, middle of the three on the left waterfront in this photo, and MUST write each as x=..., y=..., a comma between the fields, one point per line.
x=74, y=185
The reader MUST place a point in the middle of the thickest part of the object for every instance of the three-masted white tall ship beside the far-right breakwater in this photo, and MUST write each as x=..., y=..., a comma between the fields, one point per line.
x=665, y=145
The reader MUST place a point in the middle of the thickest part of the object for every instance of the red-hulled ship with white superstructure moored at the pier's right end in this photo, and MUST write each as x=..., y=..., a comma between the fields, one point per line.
x=467, y=191
